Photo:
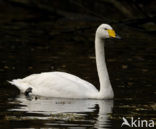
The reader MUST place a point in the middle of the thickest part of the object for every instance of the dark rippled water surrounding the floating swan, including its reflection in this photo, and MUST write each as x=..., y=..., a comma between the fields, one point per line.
x=35, y=45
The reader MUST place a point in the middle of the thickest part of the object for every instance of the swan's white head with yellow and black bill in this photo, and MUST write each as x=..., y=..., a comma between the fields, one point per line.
x=106, y=31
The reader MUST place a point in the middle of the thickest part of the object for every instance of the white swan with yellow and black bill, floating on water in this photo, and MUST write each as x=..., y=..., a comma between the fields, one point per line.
x=64, y=85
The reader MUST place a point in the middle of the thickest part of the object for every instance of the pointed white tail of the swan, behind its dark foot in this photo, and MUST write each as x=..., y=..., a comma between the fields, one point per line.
x=20, y=84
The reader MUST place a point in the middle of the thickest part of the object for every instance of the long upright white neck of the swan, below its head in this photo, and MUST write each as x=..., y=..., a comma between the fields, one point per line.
x=105, y=85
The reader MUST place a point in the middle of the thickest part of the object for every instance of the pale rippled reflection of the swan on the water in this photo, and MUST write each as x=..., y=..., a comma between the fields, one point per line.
x=67, y=109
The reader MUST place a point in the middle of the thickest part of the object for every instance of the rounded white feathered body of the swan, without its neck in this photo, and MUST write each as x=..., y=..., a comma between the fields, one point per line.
x=57, y=84
